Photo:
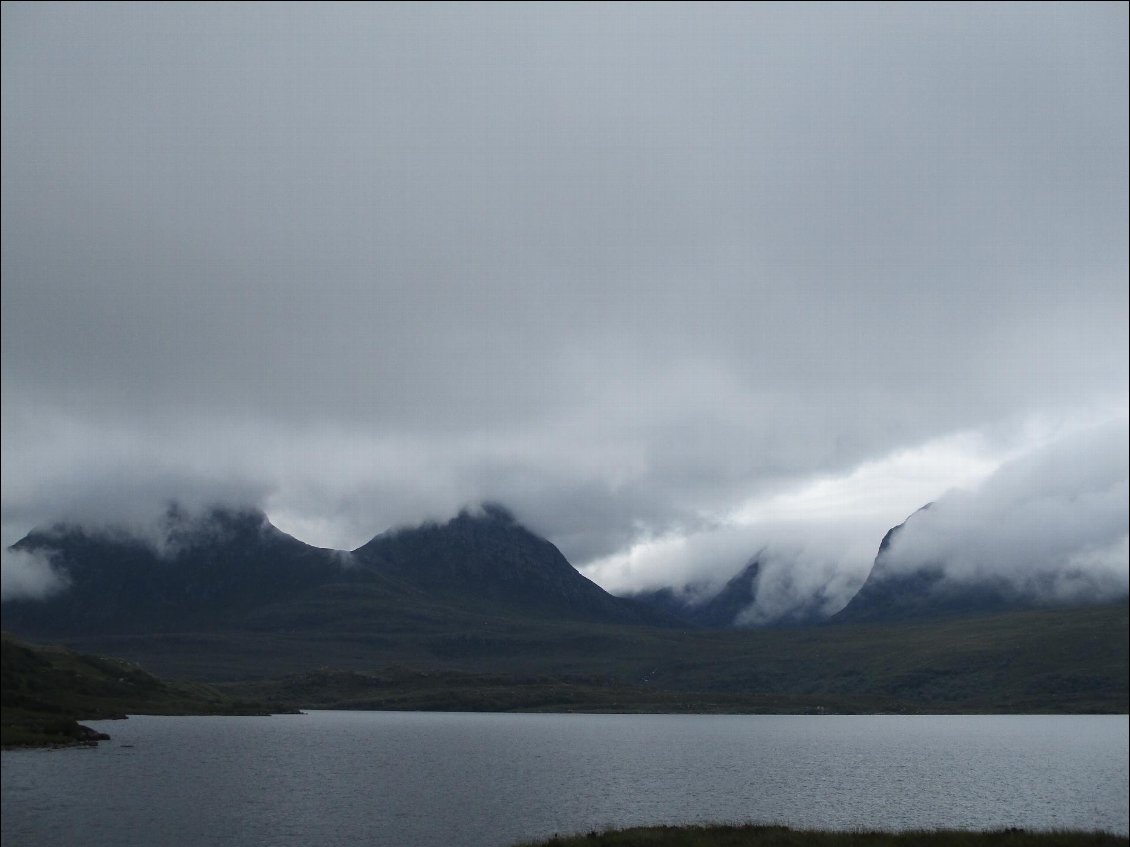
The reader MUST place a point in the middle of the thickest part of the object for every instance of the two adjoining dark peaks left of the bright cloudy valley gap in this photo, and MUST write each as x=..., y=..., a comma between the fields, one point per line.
x=231, y=570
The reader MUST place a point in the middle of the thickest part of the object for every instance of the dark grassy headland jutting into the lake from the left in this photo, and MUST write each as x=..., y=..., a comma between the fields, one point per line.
x=47, y=691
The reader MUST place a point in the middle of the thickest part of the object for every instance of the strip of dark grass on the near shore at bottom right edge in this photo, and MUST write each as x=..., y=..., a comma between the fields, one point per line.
x=772, y=836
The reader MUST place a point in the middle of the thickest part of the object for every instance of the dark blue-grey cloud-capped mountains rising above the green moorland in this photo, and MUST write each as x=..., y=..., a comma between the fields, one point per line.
x=231, y=567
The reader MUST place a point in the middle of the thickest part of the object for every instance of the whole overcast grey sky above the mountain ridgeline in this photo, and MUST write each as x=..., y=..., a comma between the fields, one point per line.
x=680, y=285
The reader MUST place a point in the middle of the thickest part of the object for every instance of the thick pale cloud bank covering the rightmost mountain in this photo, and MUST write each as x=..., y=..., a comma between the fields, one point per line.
x=1051, y=526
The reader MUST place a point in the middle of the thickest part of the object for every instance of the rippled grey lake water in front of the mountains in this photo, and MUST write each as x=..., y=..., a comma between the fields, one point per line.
x=420, y=780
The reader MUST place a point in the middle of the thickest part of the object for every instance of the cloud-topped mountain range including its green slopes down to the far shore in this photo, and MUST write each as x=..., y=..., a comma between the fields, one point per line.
x=480, y=613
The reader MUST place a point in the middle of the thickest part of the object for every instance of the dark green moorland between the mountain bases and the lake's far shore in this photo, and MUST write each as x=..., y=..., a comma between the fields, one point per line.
x=1037, y=661
